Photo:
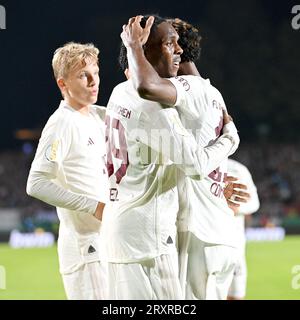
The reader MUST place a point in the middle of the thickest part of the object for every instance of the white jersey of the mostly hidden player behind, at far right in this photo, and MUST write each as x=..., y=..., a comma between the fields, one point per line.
x=238, y=170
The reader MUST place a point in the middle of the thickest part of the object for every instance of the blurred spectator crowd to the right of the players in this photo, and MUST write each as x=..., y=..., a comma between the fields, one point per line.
x=275, y=169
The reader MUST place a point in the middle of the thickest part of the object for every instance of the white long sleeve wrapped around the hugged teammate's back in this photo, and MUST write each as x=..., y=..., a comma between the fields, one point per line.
x=169, y=137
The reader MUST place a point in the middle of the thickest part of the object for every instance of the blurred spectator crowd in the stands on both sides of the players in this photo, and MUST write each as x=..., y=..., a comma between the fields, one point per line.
x=275, y=169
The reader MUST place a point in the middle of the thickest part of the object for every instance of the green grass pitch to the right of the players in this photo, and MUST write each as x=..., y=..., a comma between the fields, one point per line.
x=270, y=267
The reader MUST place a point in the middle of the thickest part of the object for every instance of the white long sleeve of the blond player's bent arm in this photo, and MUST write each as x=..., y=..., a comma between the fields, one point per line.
x=52, y=149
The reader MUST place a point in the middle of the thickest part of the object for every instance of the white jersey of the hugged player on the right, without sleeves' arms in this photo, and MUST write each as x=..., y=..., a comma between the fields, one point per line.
x=206, y=213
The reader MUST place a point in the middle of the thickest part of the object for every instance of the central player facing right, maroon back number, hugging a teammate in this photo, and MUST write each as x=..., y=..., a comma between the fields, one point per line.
x=146, y=147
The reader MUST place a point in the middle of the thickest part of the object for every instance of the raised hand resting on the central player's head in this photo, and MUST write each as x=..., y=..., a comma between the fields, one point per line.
x=133, y=33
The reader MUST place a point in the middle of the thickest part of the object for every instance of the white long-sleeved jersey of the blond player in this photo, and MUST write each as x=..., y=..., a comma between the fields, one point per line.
x=71, y=155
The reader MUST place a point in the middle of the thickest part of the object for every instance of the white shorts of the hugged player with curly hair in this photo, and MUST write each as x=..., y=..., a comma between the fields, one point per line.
x=206, y=269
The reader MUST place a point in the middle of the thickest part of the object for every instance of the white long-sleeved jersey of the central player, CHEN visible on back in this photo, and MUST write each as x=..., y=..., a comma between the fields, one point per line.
x=143, y=143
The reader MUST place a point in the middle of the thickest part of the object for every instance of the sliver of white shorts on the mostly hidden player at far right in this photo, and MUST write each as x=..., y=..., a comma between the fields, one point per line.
x=238, y=286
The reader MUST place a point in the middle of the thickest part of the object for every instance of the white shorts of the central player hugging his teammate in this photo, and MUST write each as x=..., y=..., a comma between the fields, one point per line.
x=154, y=279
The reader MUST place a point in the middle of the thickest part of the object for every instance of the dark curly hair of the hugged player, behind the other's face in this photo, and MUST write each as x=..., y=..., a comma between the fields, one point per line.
x=189, y=40
